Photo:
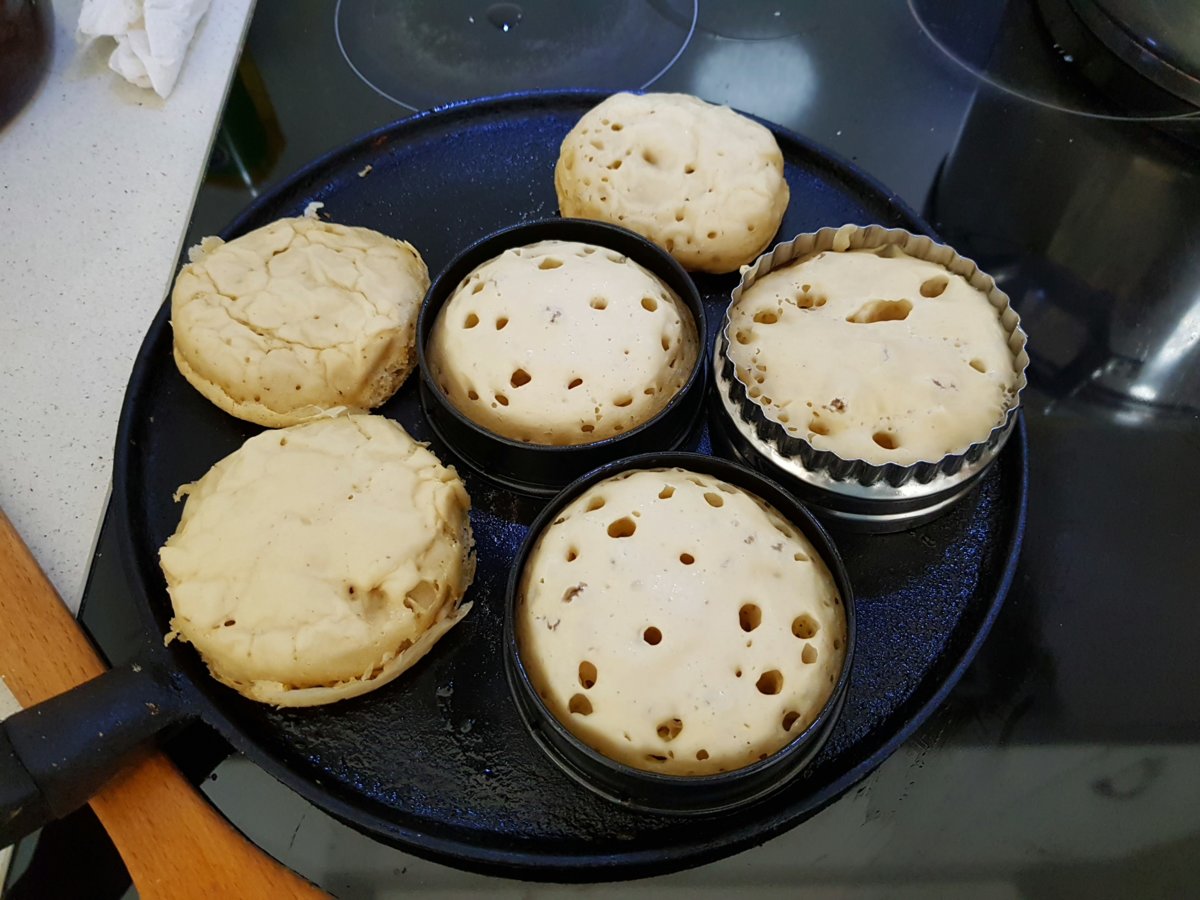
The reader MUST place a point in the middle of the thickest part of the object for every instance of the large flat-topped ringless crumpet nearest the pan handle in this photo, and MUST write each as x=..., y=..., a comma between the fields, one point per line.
x=319, y=562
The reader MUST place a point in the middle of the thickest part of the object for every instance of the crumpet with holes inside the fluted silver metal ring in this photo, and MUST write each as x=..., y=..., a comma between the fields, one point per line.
x=874, y=356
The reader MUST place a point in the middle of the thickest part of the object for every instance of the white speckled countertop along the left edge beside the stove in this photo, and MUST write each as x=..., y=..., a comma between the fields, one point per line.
x=98, y=181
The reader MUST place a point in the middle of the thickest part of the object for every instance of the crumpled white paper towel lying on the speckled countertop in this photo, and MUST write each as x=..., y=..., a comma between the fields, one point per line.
x=152, y=37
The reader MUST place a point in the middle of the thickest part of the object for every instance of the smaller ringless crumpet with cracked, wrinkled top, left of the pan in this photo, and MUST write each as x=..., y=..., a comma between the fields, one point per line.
x=297, y=319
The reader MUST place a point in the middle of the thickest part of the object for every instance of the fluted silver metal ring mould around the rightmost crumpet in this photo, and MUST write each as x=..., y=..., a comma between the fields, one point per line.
x=855, y=493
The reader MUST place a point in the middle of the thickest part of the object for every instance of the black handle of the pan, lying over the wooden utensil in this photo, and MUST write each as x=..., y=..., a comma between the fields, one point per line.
x=57, y=754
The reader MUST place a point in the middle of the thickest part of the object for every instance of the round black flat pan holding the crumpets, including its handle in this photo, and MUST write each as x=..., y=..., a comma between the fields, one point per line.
x=440, y=763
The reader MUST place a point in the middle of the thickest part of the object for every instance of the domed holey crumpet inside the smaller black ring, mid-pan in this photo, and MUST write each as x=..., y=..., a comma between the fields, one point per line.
x=561, y=343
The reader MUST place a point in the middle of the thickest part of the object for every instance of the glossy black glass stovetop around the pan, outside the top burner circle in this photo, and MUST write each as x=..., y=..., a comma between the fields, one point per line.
x=1067, y=763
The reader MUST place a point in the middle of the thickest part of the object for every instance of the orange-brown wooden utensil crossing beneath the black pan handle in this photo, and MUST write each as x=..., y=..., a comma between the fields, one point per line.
x=173, y=842
